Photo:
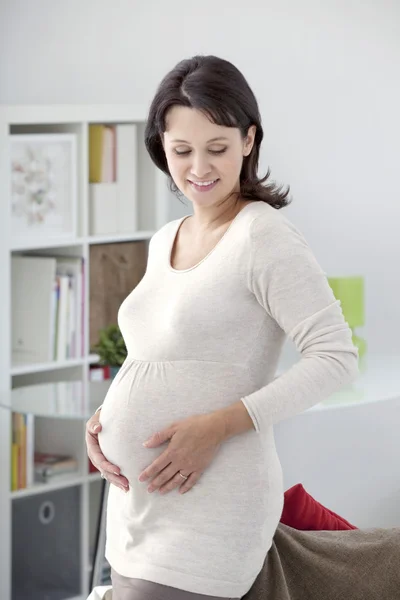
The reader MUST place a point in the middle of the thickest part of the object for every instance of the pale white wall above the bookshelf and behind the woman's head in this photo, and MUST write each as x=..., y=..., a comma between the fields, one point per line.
x=327, y=78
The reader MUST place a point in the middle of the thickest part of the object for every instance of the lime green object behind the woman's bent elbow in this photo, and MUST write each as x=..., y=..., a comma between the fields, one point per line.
x=350, y=292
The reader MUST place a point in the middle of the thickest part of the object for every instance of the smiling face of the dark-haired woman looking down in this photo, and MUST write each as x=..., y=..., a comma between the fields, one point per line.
x=204, y=159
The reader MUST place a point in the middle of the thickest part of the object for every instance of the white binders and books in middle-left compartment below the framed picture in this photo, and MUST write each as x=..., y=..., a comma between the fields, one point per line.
x=47, y=308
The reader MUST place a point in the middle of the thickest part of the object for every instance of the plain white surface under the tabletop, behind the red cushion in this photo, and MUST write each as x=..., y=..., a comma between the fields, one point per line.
x=347, y=459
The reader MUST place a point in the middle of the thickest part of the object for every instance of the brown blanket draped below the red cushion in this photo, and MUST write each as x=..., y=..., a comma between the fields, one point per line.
x=330, y=565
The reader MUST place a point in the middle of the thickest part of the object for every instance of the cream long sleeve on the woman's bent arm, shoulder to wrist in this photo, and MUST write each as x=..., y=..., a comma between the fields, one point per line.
x=289, y=284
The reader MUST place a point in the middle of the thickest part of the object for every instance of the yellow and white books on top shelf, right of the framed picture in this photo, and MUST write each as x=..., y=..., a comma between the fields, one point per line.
x=113, y=178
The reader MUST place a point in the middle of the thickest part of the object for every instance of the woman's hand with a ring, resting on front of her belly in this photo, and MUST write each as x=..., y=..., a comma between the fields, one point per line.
x=194, y=443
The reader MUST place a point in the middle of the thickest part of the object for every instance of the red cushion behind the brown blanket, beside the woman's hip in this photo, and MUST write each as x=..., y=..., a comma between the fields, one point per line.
x=302, y=511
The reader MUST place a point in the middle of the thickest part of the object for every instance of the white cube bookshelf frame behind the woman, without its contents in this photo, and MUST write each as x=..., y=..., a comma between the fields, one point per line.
x=34, y=387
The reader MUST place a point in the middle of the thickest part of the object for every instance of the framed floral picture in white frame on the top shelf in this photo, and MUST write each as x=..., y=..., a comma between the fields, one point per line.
x=43, y=187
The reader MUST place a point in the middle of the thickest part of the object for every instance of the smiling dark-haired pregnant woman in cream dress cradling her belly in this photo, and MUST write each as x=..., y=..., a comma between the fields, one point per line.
x=192, y=515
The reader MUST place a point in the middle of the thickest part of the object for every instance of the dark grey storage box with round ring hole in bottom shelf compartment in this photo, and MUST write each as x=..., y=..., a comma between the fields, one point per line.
x=46, y=548
